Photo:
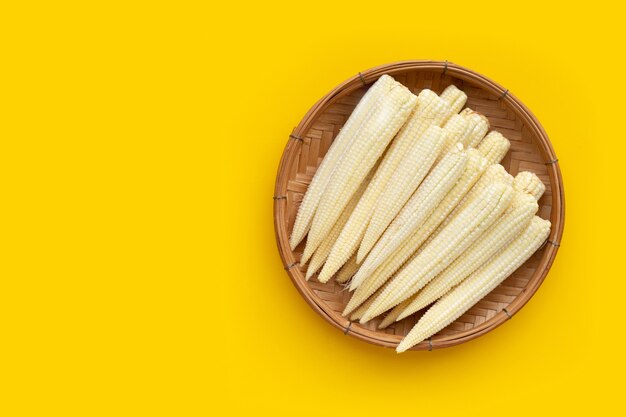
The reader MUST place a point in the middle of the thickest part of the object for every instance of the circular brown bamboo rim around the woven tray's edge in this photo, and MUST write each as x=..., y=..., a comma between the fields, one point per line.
x=364, y=78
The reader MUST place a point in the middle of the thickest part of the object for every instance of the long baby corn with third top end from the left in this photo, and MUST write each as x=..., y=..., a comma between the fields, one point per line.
x=430, y=110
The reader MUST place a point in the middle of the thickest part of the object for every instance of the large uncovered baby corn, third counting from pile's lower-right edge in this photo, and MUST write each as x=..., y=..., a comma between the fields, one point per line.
x=453, y=240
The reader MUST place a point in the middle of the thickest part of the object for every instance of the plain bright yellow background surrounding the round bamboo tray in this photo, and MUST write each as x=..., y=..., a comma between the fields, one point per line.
x=139, y=272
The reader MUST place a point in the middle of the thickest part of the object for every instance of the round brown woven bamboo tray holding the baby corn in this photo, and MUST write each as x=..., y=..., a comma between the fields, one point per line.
x=530, y=151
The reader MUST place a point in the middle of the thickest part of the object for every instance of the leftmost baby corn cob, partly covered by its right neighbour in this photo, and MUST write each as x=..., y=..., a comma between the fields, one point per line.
x=364, y=110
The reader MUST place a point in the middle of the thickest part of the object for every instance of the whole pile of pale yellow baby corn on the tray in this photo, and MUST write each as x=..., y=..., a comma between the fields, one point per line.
x=411, y=207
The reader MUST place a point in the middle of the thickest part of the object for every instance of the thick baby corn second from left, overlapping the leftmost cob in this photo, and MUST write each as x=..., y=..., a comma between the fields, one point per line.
x=372, y=139
